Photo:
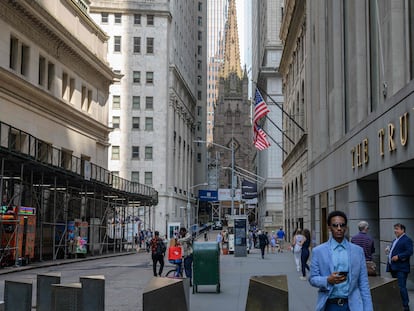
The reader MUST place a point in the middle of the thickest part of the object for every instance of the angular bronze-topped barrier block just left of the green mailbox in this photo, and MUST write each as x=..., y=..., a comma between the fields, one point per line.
x=166, y=294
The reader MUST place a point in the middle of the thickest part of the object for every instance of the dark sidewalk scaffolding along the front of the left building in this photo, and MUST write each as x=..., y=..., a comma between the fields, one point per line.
x=81, y=208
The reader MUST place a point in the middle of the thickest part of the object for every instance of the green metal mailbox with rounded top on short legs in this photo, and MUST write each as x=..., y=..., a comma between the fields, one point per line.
x=206, y=265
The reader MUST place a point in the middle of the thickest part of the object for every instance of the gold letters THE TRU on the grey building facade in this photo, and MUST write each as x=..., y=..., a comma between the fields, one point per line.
x=360, y=153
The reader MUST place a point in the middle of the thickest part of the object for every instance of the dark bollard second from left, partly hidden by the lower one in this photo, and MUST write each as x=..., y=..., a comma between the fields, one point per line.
x=44, y=290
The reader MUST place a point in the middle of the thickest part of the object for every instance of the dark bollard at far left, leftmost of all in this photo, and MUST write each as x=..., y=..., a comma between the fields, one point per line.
x=18, y=295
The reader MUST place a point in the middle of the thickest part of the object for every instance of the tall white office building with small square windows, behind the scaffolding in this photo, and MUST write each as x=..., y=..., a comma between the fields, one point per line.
x=158, y=108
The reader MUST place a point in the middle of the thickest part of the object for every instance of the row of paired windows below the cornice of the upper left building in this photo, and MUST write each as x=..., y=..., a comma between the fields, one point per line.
x=19, y=61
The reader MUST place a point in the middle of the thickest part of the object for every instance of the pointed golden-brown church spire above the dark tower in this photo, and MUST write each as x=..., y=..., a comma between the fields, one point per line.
x=232, y=51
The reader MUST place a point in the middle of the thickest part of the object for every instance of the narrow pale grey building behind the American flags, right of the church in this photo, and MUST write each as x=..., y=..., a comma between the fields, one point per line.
x=266, y=55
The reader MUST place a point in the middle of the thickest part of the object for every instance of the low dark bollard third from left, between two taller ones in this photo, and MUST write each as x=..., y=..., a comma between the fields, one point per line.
x=67, y=297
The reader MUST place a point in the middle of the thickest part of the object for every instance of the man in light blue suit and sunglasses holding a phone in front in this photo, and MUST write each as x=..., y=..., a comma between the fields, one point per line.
x=338, y=269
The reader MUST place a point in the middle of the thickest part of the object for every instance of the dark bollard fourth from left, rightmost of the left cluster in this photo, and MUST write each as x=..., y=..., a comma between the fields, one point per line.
x=93, y=292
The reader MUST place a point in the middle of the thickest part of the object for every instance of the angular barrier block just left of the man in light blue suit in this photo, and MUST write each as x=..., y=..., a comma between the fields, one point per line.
x=268, y=293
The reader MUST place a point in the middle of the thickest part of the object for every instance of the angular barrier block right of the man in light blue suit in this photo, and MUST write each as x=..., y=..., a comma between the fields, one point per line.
x=385, y=293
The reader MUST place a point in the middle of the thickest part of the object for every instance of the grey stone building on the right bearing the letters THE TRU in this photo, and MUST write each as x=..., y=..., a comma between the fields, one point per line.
x=358, y=95
